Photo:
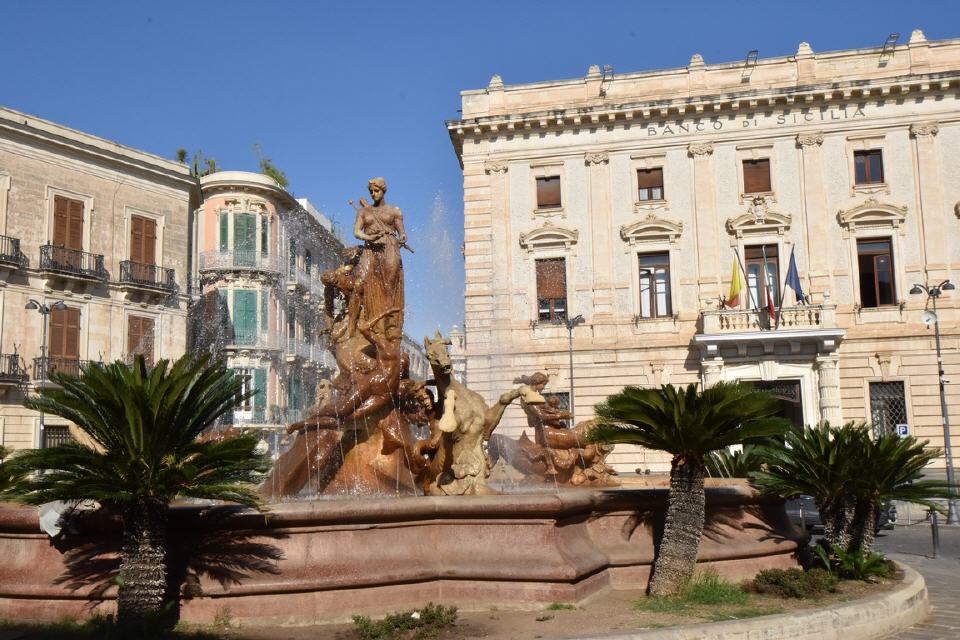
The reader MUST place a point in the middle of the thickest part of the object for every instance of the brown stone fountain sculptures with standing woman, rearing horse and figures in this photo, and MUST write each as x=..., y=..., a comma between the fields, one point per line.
x=361, y=436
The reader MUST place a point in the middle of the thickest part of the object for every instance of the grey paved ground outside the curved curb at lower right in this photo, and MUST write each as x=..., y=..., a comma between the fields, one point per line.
x=912, y=545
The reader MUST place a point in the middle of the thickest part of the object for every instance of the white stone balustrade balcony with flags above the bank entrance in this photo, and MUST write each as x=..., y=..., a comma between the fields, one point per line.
x=743, y=332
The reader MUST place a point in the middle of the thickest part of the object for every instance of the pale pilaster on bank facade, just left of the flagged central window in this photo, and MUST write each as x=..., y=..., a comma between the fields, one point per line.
x=704, y=206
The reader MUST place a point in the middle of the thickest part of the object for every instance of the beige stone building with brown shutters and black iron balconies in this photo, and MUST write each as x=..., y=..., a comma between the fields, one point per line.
x=97, y=234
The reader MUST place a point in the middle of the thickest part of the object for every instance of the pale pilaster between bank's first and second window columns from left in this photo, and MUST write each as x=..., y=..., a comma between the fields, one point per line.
x=600, y=220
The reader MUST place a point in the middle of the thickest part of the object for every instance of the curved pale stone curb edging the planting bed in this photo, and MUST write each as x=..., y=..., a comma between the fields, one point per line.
x=873, y=617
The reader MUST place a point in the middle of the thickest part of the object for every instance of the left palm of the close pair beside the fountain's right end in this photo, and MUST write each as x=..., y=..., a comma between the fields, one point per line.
x=818, y=462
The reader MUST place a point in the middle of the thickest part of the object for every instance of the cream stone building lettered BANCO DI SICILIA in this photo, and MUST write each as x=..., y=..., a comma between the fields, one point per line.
x=631, y=198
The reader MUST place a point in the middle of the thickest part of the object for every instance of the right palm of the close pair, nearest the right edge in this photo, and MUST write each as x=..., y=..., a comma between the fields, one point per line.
x=891, y=468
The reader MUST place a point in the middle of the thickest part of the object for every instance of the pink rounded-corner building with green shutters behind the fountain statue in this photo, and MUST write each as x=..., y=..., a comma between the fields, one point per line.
x=258, y=256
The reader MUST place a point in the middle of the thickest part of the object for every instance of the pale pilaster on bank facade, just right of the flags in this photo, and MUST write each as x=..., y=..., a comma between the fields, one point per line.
x=817, y=222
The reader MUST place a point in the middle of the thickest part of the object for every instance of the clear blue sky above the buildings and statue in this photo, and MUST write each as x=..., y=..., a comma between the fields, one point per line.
x=338, y=93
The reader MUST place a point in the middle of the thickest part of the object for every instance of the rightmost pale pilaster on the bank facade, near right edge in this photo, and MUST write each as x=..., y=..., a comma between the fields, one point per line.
x=932, y=214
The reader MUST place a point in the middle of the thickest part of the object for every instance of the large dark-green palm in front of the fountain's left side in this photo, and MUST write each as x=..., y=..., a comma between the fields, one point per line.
x=144, y=423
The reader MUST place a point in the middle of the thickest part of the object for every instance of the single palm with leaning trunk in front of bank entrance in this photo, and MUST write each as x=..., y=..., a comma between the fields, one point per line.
x=689, y=424
